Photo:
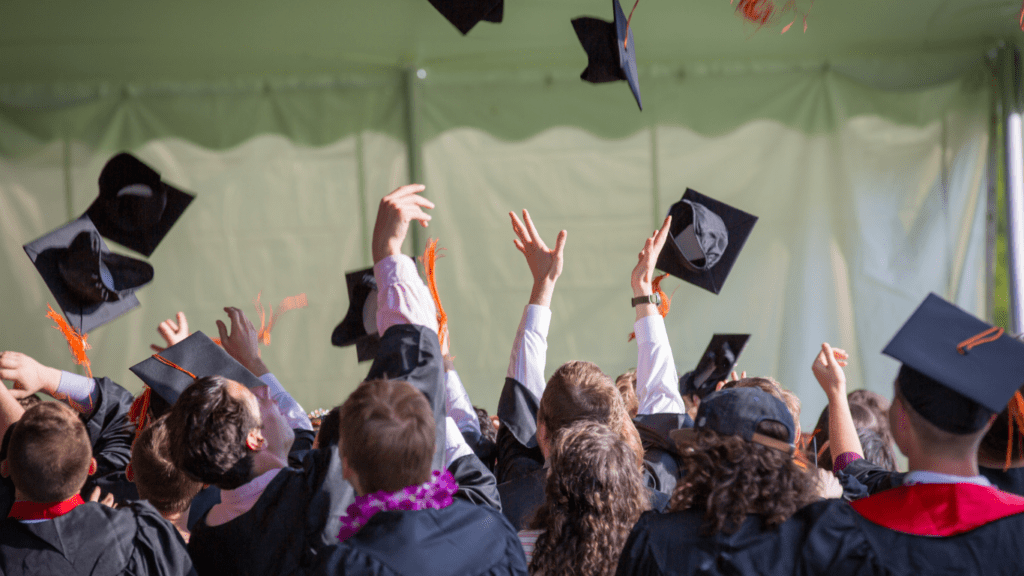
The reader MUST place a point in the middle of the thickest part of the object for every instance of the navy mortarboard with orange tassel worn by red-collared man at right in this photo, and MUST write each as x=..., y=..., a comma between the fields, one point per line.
x=958, y=371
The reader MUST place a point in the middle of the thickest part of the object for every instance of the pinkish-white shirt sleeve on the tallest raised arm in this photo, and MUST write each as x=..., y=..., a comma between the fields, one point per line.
x=402, y=296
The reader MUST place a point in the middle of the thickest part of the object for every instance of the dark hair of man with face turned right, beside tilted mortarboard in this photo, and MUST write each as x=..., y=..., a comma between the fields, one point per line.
x=207, y=428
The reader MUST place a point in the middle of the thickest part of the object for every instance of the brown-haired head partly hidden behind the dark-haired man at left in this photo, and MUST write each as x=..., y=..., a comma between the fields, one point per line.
x=158, y=480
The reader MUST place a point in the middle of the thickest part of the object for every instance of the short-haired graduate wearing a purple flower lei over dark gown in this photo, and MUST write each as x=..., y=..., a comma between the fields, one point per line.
x=406, y=520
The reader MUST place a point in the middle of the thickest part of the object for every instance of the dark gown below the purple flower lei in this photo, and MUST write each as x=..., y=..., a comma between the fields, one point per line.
x=459, y=541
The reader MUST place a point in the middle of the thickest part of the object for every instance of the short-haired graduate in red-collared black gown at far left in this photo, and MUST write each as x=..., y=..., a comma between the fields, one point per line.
x=50, y=530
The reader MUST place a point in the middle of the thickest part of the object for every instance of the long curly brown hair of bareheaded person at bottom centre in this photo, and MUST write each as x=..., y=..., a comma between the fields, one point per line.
x=593, y=498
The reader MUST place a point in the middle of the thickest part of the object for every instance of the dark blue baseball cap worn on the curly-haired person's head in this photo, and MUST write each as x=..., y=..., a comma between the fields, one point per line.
x=738, y=413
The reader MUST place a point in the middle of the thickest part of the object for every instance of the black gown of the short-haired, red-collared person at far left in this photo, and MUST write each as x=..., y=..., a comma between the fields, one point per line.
x=95, y=541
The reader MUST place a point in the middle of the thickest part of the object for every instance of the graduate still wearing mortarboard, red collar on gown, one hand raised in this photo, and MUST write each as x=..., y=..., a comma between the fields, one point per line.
x=958, y=375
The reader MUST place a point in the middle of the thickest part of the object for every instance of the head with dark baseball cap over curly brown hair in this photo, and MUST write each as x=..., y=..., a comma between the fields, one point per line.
x=739, y=462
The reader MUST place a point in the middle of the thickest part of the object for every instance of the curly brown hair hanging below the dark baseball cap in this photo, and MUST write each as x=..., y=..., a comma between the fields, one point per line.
x=730, y=478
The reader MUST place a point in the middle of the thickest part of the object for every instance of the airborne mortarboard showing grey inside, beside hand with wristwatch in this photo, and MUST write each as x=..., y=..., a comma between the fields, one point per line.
x=705, y=240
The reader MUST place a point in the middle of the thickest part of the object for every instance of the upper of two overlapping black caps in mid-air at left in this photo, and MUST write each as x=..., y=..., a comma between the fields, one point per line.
x=135, y=208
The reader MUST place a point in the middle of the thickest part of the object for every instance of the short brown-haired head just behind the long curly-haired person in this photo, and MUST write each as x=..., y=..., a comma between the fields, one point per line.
x=579, y=391
